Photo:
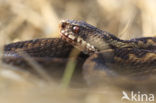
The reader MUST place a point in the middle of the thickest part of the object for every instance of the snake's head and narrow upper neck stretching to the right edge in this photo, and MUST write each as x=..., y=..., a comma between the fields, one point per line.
x=100, y=40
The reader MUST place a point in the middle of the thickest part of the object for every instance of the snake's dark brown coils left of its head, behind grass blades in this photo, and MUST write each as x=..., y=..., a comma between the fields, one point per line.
x=50, y=53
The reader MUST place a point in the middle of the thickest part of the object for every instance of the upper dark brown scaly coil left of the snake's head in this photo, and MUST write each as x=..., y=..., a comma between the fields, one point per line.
x=49, y=47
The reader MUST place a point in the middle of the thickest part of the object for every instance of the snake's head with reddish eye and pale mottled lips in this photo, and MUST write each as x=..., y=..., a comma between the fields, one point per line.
x=81, y=35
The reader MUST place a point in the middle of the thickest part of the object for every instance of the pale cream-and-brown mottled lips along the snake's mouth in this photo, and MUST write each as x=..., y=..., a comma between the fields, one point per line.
x=78, y=42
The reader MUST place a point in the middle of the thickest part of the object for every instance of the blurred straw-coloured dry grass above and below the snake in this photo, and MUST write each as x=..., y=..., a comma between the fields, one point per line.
x=30, y=19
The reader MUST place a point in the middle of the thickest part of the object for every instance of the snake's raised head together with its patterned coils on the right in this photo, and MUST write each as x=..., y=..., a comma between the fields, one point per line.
x=111, y=55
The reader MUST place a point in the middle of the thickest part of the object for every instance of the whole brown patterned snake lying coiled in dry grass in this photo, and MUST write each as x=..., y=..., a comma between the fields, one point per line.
x=102, y=54
